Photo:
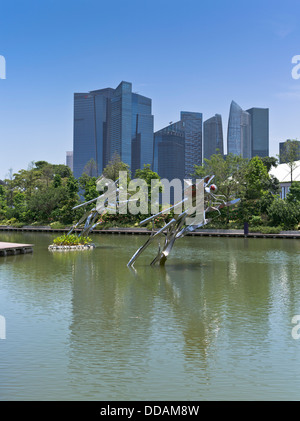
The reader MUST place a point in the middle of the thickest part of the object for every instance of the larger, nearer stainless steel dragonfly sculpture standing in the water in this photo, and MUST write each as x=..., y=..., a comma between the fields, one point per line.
x=180, y=224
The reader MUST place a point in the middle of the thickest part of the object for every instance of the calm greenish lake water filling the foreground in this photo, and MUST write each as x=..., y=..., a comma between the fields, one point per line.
x=214, y=324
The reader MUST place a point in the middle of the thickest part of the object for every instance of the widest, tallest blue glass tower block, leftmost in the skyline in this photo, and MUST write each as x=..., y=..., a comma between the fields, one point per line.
x=112, y=121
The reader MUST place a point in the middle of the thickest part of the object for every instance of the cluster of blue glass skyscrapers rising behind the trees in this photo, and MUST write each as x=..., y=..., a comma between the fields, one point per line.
x=110, y=121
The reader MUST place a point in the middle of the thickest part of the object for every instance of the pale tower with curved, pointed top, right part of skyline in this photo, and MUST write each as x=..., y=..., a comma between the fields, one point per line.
x=239, y=132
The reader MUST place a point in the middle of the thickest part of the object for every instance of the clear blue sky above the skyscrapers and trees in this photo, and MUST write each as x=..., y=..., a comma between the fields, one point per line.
x=189, y=55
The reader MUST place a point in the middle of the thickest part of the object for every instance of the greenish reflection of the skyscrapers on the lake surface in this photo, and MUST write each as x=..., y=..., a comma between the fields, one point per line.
x=208, y=304
